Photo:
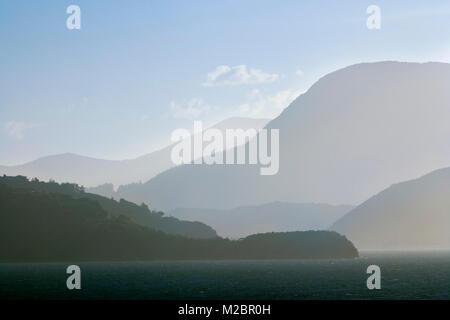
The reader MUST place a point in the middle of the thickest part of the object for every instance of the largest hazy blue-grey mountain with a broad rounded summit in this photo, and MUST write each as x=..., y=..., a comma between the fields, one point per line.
x=353, y=133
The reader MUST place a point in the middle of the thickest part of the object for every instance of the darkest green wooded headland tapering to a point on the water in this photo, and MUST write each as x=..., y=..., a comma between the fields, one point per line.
x=46, y=226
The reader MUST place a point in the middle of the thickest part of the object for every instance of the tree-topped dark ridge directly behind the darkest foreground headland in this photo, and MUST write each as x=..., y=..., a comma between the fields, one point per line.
x=142, y=215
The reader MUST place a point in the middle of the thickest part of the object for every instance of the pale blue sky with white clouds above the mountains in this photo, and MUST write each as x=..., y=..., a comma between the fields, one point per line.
x=137, y=70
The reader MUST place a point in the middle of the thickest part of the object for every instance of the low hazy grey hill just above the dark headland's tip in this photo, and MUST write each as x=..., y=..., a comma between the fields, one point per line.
x=271, y=217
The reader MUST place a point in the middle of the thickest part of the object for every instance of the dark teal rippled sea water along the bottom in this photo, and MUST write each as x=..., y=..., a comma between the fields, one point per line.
x=424, y=275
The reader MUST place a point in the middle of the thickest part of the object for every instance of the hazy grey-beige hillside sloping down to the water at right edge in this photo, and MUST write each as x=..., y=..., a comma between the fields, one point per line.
x=410, y=215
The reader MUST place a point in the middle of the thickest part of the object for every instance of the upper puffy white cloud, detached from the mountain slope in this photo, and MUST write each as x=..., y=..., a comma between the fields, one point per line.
x=237, y=75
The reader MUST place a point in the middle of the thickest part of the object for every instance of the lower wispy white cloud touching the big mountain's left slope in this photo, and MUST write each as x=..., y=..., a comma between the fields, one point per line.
x=267, y=106
